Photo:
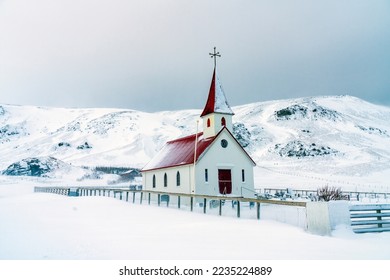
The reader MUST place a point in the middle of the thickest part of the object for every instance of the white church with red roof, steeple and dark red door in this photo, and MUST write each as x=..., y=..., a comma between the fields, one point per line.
x=210, y=162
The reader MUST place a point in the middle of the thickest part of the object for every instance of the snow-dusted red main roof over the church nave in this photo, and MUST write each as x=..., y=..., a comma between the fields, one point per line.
x=179, y=152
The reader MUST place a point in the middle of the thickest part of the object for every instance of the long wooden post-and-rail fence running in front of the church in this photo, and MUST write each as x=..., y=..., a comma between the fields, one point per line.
x=165, y=198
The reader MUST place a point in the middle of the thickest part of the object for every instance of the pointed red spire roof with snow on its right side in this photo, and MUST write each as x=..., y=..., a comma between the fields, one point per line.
x=216, y=101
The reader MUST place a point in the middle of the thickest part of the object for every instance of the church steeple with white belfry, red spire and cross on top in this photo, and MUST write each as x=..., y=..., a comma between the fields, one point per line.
x=217, y=112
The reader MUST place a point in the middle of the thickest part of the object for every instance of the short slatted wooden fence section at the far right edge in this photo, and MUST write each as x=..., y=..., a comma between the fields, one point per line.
x=370, y=218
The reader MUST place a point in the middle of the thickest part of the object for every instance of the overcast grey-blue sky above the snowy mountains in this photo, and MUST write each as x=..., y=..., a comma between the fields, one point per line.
x=152, y=55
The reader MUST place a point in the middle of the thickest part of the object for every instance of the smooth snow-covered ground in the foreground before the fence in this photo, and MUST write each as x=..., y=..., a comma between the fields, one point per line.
x=40, y=226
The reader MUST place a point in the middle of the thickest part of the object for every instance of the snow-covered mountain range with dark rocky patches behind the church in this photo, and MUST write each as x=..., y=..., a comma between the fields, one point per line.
x=318, y=137
